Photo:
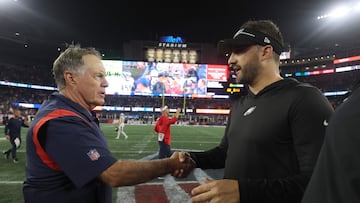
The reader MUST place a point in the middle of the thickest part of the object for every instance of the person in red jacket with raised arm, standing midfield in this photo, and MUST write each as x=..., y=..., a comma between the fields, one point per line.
x=162, y=128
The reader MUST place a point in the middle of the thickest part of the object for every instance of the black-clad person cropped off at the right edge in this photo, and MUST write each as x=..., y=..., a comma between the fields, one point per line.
x=336, y=177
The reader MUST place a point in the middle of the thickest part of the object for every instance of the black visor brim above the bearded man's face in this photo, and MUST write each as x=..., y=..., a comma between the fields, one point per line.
x=227, y=46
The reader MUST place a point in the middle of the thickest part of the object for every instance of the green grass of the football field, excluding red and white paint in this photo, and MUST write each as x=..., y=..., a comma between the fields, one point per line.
x=141, y=143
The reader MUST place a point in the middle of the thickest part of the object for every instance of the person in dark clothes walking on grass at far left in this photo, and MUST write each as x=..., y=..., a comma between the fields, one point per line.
x=13, y=134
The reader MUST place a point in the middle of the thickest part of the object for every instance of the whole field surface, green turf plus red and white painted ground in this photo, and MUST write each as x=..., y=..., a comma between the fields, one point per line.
x=141, y=144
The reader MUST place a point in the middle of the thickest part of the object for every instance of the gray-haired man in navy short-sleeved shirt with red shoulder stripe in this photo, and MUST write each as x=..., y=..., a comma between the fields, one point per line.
x=68, y=159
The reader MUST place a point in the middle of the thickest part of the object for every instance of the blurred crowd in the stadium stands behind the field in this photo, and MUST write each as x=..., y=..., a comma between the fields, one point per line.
x=43, y=76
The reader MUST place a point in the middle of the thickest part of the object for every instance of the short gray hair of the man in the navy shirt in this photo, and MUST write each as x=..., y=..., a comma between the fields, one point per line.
x=71, y=60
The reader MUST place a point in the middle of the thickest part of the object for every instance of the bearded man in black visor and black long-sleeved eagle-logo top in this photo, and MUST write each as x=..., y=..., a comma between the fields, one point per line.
x=274, y=133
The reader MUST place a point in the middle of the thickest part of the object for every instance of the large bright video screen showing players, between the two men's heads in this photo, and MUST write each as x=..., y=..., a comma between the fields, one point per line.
x=157, y=79
